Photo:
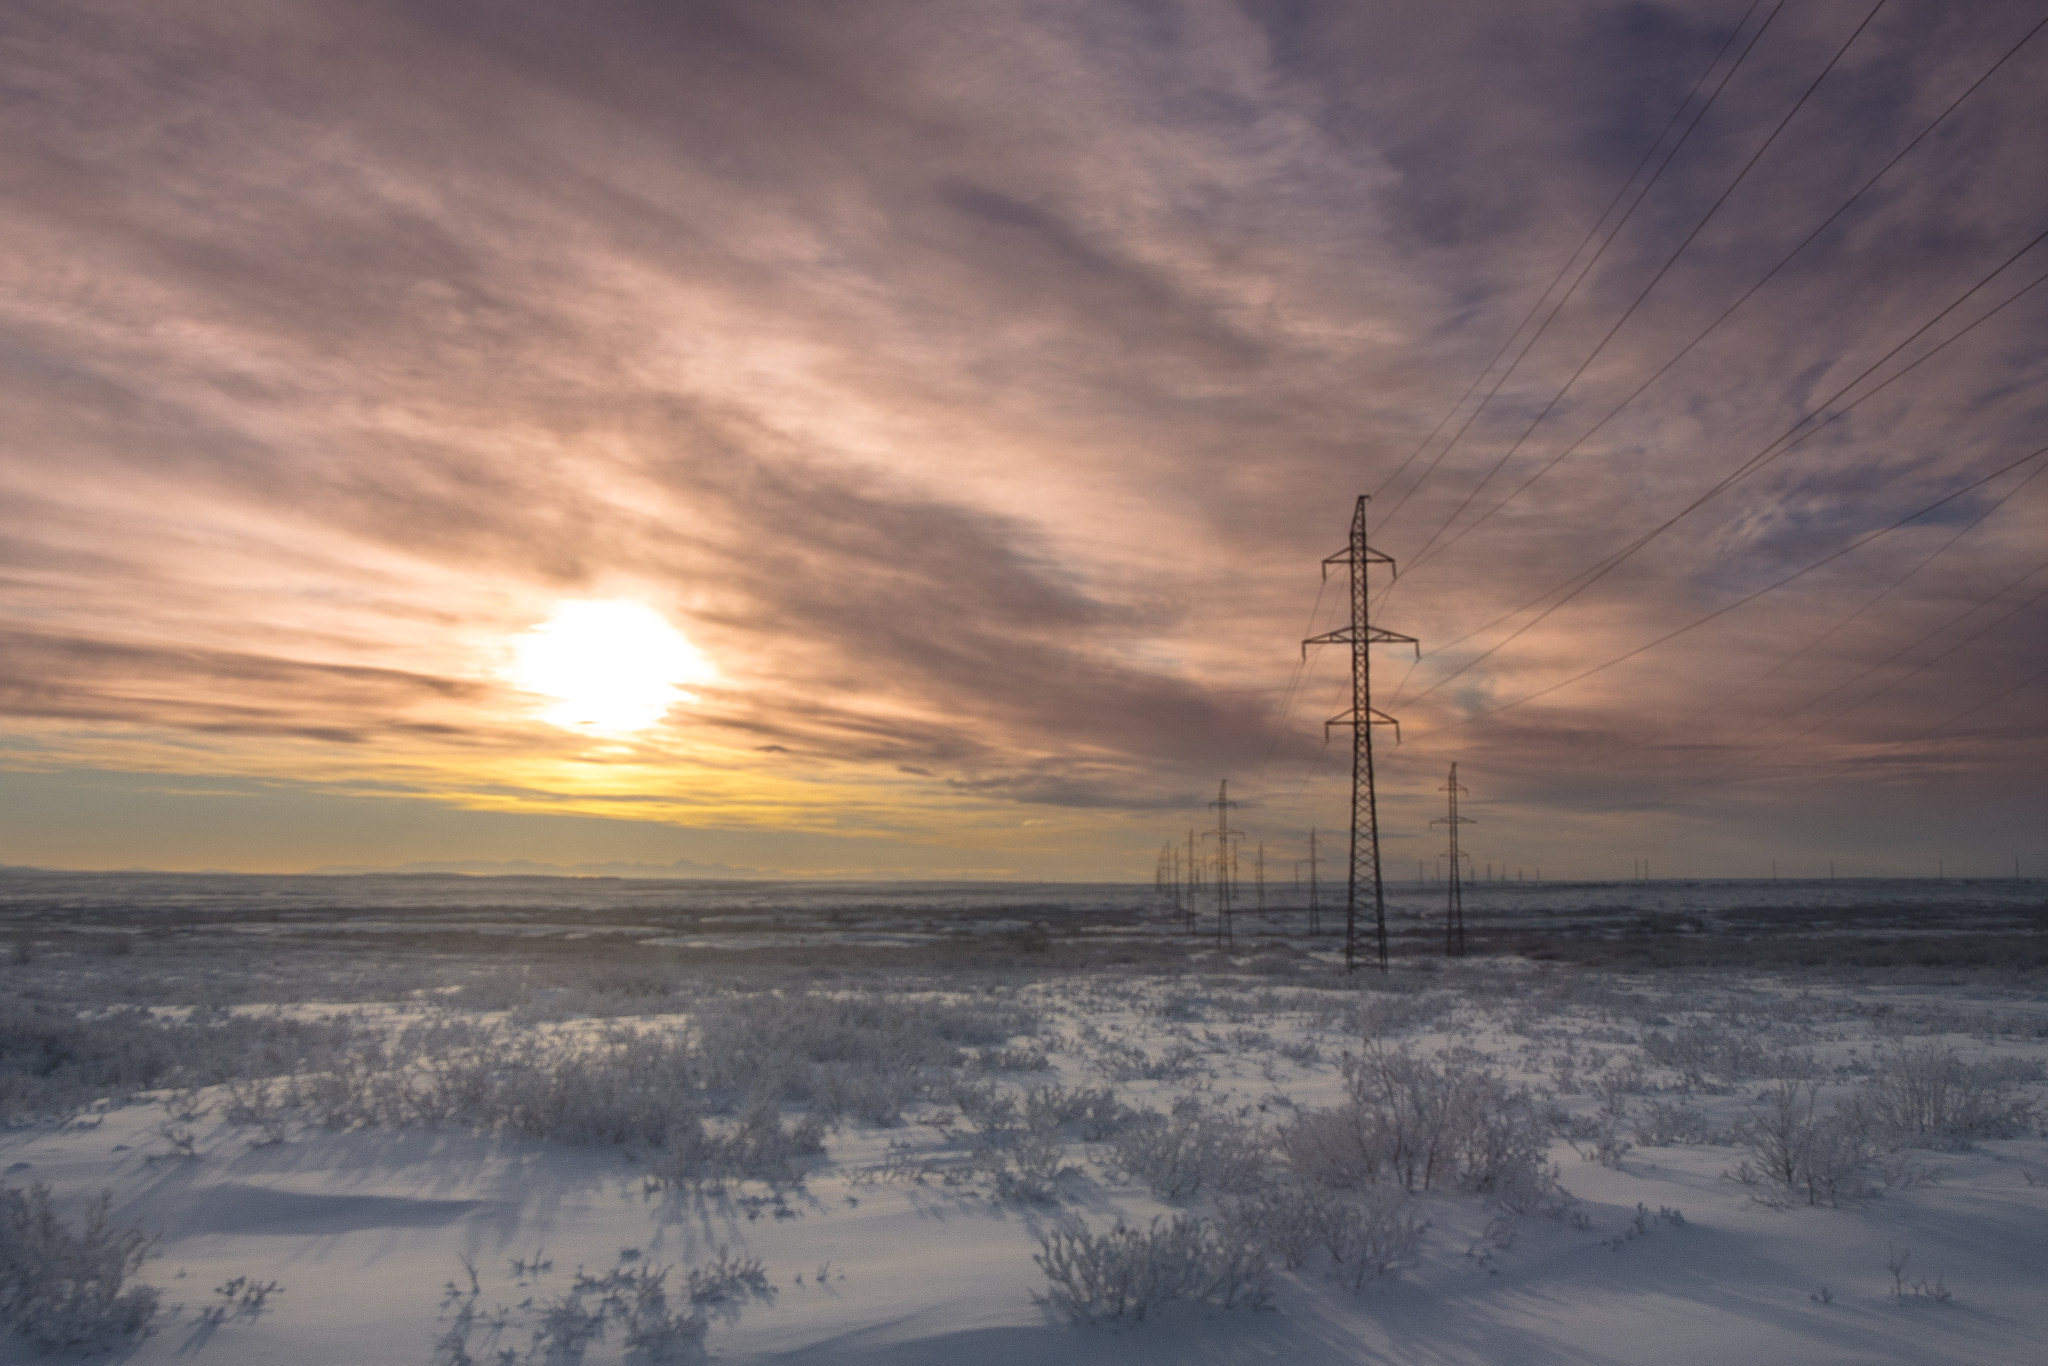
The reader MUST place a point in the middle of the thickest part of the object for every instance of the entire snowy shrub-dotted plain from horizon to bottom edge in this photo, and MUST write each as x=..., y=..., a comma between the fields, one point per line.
x=435, y=1121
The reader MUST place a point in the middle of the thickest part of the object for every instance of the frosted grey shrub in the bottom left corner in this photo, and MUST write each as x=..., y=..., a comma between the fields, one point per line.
x=62, y=1287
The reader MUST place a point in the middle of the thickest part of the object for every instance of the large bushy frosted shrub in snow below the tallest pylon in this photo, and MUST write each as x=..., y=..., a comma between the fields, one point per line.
x=1424, y=1125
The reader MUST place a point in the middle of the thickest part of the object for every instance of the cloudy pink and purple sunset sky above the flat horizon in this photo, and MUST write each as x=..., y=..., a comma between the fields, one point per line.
x=914, y=433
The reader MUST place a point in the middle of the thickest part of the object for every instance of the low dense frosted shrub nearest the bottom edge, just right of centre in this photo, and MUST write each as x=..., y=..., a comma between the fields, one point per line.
x=1125, y=1271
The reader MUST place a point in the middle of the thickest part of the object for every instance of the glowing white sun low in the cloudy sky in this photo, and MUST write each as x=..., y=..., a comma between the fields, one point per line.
x=611, y=667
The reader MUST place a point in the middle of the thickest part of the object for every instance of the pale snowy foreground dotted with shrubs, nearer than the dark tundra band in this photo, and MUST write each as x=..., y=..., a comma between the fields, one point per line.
x=1490, y=1162
